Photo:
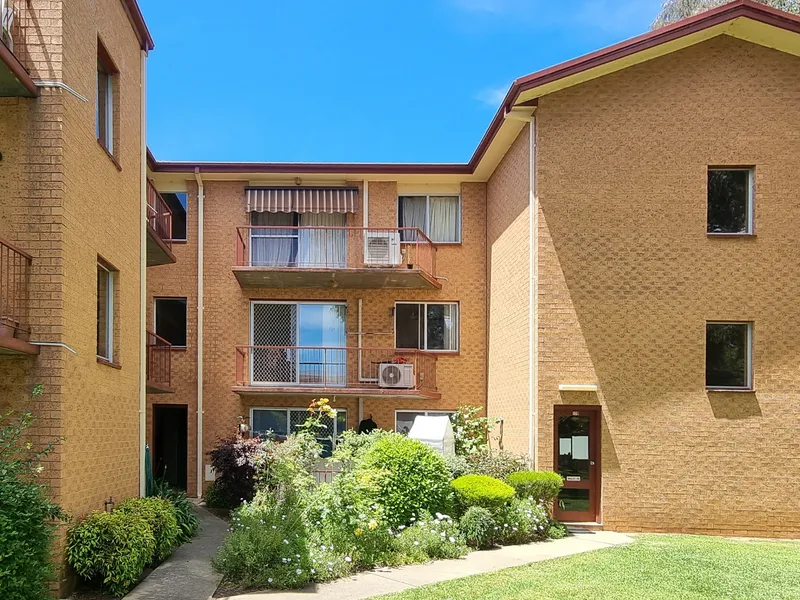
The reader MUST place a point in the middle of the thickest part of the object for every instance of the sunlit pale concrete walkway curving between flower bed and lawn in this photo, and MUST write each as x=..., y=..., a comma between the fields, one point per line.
x=387, y=581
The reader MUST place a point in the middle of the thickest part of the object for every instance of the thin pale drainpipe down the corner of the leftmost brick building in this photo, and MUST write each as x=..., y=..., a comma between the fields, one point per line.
x=143, y=280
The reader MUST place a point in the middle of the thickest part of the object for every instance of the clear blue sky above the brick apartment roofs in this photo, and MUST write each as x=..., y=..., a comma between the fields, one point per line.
x=355, y=81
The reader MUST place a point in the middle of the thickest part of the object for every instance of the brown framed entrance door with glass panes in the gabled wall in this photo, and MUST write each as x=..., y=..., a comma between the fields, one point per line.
x=577, y=460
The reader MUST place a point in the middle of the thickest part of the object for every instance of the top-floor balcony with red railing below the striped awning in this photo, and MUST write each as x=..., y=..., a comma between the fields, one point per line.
x=335, y=257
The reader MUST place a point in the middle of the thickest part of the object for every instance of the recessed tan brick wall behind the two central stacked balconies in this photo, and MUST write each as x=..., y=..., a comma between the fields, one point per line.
x=461, y=377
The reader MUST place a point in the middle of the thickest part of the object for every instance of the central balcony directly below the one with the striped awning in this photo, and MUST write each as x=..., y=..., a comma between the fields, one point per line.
x=321, y=371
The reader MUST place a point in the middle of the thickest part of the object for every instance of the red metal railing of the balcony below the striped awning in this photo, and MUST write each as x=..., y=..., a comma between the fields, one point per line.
x=335, y=248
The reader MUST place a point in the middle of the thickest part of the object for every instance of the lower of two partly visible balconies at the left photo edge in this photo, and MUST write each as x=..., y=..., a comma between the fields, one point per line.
x=15, y=267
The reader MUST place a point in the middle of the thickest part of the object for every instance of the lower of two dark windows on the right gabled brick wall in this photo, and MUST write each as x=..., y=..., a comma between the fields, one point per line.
x=729, y=355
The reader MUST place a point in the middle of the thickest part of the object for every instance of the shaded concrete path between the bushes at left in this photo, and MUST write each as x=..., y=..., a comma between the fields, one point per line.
x=187, y=574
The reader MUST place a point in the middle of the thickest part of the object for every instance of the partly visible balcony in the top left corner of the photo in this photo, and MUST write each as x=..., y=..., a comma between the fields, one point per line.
x=14, y=78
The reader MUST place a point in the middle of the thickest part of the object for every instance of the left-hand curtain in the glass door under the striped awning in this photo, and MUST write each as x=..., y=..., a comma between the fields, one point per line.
x=273, y=247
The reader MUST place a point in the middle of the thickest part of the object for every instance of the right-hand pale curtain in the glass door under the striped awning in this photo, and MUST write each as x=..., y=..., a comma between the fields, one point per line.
x=322, y=248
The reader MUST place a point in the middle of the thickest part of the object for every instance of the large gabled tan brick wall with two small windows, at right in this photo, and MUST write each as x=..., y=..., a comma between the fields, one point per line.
x=629, y=278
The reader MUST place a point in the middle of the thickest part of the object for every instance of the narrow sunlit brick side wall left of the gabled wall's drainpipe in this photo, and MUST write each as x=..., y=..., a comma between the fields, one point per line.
x=508, y=262
